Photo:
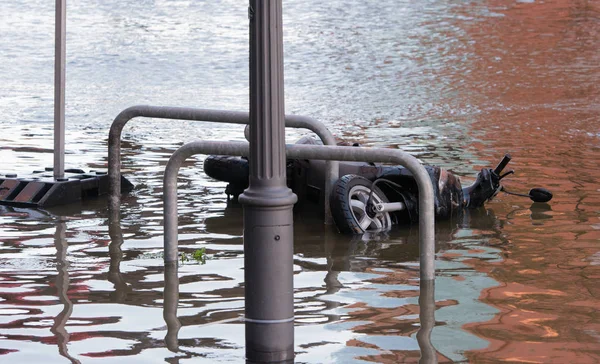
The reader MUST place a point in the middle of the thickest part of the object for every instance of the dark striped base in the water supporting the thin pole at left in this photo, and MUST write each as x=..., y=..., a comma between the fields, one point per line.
x=41, y=189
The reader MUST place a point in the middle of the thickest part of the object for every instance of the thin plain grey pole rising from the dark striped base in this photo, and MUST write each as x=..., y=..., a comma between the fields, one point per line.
x=59, y=88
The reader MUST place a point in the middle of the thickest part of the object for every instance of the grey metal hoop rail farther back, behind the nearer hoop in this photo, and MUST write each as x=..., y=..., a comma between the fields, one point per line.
x=218, y=116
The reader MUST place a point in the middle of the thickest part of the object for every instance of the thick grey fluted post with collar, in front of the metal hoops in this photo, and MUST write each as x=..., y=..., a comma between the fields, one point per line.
x=268, y=203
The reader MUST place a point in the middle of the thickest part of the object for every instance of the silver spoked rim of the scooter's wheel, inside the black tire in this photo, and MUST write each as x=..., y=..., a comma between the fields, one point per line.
x=358, y=197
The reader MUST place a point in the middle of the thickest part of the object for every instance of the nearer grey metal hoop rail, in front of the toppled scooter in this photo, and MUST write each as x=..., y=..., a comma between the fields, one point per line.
x=296, y=151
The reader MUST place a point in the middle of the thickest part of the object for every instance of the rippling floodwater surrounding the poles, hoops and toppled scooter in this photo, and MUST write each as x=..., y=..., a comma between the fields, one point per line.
x=457, y=83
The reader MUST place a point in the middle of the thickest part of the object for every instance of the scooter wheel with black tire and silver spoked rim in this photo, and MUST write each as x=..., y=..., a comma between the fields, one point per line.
x=348, y=203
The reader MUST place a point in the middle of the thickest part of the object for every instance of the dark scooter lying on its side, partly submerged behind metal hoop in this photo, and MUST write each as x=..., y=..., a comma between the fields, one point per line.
x=374, y=197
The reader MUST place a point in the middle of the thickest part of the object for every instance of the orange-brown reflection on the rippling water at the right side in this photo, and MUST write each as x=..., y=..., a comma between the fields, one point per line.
x=535, y=71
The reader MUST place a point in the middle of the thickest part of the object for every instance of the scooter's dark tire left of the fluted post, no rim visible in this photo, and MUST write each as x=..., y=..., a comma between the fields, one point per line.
x=234, y=170
